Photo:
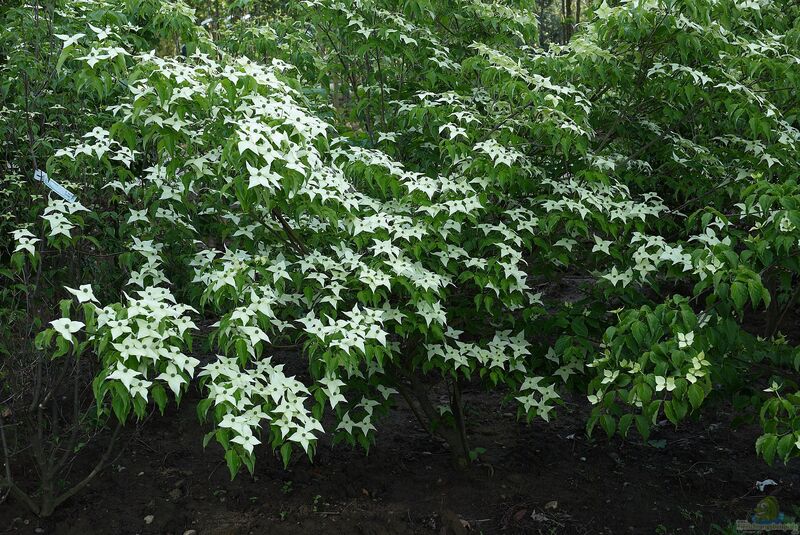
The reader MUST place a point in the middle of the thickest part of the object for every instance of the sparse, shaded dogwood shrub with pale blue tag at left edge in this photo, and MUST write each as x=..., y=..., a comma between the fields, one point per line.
x=54, y=252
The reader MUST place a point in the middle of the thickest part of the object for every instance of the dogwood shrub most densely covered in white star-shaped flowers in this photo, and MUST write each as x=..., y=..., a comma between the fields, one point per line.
x=333, y=244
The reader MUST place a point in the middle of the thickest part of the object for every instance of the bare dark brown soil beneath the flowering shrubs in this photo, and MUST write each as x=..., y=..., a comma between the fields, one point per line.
x=539, y=478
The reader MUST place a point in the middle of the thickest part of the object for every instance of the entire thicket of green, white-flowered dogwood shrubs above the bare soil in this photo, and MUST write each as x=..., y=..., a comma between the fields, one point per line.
x=387, y=190
